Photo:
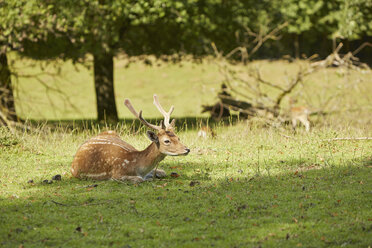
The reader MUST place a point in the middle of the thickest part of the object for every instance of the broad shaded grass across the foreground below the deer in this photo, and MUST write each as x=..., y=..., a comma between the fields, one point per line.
x=313, y=208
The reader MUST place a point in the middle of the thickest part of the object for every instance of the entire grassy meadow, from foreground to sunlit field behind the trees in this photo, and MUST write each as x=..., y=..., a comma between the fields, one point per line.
x=250, y=186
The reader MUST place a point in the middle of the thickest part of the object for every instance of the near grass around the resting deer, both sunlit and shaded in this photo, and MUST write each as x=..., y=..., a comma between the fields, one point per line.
x=248, y=186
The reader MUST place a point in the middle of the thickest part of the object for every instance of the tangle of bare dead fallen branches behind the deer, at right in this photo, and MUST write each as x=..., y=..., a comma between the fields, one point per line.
x=248, y=92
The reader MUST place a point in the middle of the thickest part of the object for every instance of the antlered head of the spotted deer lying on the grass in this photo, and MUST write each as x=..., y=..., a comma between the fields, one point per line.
x=165, y=139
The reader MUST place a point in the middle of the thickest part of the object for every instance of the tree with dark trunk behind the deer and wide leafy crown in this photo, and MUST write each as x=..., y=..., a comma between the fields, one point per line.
x=103, y=28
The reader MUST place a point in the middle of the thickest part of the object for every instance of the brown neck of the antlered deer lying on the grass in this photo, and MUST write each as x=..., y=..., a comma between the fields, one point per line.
x=149, y=158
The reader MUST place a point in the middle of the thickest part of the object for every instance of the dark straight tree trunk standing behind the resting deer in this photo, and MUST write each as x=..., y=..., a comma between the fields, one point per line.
x=104, y=84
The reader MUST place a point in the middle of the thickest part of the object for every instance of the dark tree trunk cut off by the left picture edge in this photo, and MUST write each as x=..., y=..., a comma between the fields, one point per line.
x=7, y=107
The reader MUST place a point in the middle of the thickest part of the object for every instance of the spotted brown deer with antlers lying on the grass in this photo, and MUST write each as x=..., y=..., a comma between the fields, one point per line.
x=106, y=156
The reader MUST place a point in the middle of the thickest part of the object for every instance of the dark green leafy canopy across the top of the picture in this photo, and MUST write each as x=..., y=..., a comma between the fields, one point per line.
x=72, y=29
